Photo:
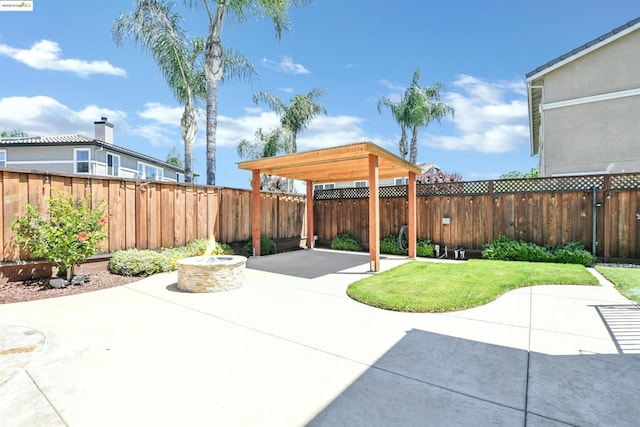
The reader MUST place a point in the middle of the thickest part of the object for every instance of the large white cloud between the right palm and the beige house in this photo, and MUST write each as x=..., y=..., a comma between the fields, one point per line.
x=490, y=117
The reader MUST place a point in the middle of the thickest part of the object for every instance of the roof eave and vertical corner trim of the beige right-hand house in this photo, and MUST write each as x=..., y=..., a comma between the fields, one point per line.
x=533, y=77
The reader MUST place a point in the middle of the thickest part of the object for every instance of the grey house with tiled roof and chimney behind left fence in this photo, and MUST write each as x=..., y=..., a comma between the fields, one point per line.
x=79, y=154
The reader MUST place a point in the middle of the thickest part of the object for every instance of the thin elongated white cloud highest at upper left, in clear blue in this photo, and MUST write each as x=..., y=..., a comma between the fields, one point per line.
x=45, y=55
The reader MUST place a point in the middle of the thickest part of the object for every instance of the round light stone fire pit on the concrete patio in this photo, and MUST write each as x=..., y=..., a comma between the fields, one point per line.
x=211, y=273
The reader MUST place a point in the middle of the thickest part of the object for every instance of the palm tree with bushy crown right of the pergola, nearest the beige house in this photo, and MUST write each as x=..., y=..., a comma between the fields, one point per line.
x=422, y=106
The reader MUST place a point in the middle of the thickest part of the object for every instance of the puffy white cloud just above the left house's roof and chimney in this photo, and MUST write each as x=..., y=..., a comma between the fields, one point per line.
x=45, y=116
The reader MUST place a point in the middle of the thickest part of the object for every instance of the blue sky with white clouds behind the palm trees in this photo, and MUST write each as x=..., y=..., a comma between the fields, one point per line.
x=60, y=71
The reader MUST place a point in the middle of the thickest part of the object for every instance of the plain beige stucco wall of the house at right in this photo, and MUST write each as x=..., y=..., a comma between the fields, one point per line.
x=600, y=136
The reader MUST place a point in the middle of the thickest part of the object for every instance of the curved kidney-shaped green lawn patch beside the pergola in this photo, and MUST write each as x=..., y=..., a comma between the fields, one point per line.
x=435, y=287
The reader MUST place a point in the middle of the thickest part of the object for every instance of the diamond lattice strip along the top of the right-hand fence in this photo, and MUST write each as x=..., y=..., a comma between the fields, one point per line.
x=533, y=185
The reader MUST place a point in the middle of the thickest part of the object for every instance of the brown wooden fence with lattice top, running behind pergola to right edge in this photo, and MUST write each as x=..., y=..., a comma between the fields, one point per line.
x=546, y=211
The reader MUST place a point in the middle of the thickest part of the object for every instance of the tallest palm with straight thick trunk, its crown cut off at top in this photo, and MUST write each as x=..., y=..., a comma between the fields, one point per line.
x=276, y=10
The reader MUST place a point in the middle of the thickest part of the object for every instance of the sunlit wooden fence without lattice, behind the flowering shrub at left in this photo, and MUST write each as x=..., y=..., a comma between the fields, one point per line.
x=152, y=215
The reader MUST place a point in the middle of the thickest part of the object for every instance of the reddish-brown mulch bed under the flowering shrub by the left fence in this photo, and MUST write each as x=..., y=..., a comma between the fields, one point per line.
x=30, y=290
